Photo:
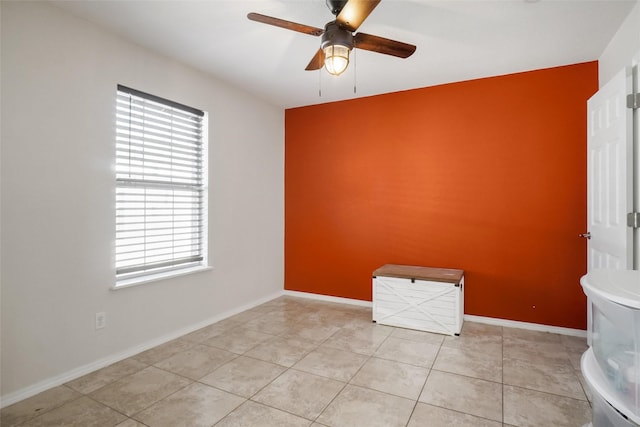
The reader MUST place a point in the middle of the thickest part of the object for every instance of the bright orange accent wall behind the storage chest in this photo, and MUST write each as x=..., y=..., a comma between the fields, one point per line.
x=488, y=176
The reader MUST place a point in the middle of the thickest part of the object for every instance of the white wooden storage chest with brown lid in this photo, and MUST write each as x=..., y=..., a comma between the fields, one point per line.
x=422, y=298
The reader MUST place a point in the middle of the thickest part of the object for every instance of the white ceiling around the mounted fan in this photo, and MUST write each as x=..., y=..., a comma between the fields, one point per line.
x=456, y=40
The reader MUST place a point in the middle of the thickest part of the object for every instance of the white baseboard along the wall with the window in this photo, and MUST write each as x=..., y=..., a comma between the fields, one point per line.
x=73, y=374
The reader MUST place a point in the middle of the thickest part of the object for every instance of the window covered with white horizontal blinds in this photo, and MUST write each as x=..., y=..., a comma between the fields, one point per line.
x=160, y=186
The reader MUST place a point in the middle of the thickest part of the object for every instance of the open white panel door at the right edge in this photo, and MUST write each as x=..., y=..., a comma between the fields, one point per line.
x=609, y=175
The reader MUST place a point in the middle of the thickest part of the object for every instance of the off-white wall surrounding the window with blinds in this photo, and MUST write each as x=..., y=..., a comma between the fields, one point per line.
x=59, y=77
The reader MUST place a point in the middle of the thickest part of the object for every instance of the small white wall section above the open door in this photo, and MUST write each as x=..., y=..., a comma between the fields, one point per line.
x=621, y=49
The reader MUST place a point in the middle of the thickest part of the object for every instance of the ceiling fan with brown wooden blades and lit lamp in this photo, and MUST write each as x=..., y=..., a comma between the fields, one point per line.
x=338, y=38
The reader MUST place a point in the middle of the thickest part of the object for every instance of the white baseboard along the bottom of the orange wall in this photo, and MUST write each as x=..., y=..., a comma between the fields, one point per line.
x=468, y=317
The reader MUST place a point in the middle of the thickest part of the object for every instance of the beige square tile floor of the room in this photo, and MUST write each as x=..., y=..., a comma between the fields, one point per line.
x=299, y=362
